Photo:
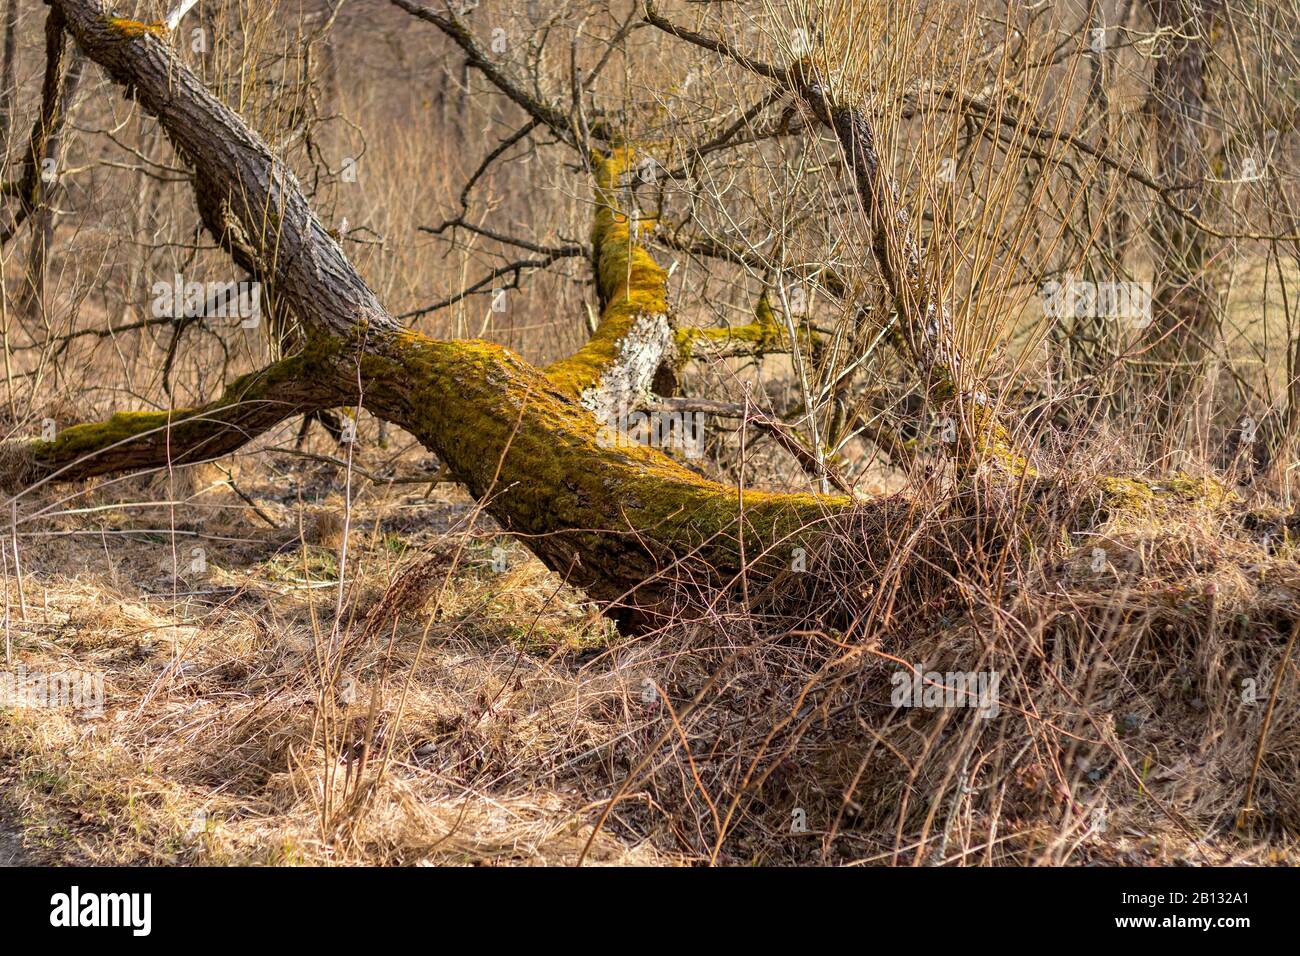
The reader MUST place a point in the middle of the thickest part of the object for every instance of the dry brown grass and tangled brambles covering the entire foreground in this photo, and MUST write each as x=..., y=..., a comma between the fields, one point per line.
x=469, y=715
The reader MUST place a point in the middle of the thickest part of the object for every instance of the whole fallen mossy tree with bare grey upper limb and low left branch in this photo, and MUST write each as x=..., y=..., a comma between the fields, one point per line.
x=614, y=517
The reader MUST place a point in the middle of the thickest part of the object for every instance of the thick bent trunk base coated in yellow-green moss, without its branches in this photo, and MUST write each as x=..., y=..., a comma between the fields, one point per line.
x=608, y=517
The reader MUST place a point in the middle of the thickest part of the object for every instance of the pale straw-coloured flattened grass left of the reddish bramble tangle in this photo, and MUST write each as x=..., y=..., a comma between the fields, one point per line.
x=213, y=747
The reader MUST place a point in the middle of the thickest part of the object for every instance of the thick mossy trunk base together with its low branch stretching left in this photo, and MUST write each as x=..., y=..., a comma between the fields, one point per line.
x=621, y=520
